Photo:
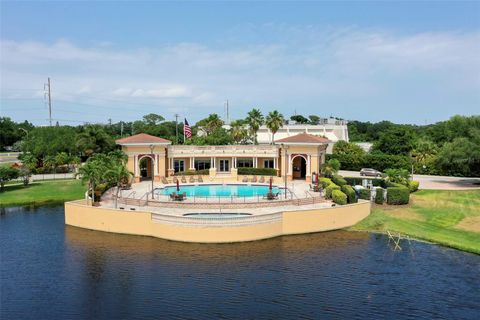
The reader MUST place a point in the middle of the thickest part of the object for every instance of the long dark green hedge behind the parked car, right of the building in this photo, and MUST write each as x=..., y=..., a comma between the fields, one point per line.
x=378, y=161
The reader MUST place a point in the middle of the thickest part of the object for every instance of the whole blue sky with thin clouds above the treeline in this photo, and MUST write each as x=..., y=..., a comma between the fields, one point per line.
x=403, y=61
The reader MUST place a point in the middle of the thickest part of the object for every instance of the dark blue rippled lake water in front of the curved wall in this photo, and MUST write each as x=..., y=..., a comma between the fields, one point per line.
x=52, y=271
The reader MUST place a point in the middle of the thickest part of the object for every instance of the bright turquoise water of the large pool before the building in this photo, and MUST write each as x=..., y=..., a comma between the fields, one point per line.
x=218, y=190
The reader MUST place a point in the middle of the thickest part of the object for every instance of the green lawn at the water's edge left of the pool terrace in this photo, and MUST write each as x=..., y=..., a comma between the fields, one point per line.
x=42, y=192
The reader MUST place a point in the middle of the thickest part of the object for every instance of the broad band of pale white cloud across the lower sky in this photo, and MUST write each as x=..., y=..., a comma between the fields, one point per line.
x=306, y=67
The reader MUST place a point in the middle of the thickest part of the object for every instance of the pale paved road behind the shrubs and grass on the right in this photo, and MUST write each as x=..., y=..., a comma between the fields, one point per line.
x=434, y=182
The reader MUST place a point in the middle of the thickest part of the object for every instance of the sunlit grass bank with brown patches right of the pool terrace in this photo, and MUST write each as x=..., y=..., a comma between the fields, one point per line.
x=449, y=218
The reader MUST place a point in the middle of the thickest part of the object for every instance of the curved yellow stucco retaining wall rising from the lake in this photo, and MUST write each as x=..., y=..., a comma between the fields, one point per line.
x=140, y=223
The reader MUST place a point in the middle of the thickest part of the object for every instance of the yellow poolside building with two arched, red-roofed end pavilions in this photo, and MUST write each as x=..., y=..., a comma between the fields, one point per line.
x=297, y=157
